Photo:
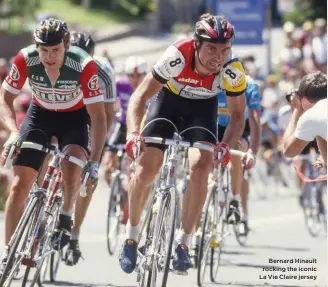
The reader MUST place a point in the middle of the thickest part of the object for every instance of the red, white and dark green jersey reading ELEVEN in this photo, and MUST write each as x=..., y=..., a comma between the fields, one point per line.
x=76, y=85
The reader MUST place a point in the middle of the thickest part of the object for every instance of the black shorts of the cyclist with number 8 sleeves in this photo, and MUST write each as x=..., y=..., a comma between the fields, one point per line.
x=183, y=113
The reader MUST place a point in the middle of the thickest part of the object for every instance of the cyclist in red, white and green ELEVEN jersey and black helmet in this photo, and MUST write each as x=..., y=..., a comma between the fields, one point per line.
x=66, y=103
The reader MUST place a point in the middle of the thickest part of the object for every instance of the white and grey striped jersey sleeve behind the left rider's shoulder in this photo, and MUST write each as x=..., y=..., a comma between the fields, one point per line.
x=106, y=79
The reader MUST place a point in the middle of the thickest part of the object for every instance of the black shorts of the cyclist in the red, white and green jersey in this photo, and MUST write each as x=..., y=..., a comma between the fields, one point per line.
x=40, y=125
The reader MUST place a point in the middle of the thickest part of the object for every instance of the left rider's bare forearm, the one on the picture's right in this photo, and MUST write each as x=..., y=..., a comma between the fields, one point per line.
x=98, y=136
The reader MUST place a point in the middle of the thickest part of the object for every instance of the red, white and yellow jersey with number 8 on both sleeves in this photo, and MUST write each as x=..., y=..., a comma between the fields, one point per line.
x=176, y=70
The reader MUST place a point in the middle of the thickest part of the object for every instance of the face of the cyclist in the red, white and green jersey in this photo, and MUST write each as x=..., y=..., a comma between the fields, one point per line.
x=52, y=57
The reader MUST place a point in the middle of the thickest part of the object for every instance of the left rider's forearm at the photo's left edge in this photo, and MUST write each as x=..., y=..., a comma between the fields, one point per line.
x=7, y=112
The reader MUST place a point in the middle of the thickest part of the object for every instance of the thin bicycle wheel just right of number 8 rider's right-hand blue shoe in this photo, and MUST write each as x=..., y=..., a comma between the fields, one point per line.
x=206, y=238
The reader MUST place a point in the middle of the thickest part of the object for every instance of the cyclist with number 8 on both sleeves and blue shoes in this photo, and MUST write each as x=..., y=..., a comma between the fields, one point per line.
x=185, y=80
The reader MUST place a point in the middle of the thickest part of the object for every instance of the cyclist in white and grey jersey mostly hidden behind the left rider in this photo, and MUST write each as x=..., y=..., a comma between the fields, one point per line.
x=106, y=80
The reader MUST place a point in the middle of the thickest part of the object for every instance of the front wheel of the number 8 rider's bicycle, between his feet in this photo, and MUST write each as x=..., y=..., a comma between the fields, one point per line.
x=170, y=205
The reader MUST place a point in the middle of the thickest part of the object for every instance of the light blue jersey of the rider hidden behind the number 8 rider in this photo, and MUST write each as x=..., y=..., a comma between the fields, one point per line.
x=253, y=100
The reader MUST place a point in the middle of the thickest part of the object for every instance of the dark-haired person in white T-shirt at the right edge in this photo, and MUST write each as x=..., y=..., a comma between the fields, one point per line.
x=309, y=119
